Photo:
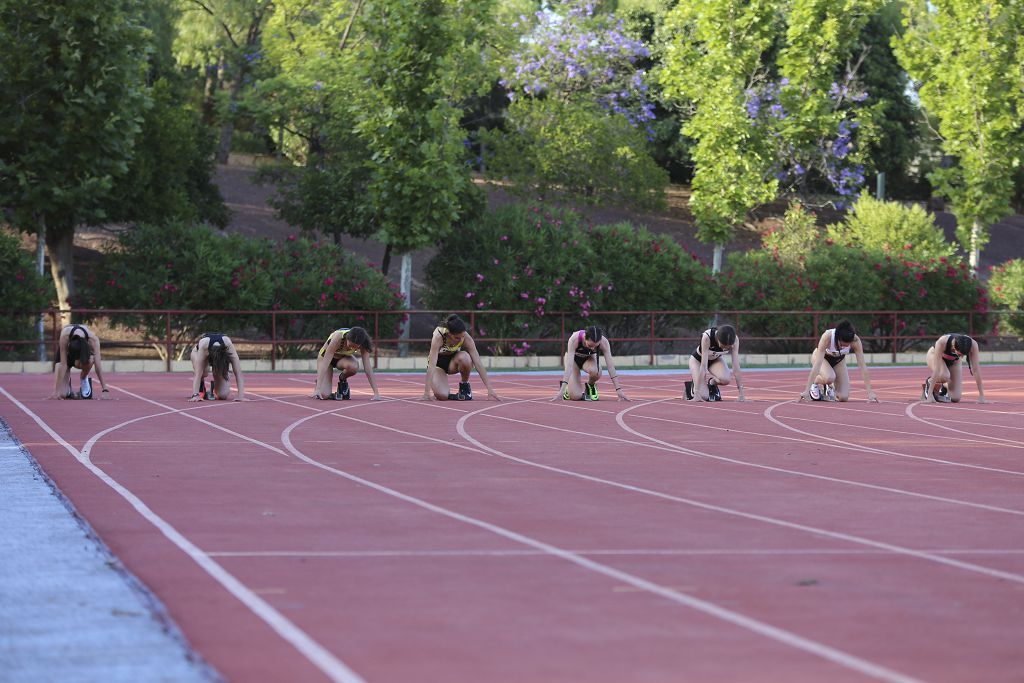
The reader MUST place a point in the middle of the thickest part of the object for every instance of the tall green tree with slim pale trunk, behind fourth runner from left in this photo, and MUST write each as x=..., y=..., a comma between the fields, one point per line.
x=410, y=70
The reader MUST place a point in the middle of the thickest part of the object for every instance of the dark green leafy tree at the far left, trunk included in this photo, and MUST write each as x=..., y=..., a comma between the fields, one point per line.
x=73, y=79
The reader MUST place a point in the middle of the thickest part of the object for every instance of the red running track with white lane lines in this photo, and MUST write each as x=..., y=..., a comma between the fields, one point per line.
x=530, y=541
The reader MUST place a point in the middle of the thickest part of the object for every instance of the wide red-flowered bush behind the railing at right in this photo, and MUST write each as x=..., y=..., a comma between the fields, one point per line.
x=844, y=278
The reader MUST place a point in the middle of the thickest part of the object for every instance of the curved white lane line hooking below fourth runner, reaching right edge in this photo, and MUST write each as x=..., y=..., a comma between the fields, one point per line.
x=848, y=538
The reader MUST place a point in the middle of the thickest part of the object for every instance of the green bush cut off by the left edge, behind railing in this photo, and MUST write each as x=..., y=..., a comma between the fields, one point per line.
x=24, y=293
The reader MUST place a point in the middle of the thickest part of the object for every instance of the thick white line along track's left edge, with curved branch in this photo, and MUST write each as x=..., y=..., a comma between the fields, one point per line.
x=332, y=667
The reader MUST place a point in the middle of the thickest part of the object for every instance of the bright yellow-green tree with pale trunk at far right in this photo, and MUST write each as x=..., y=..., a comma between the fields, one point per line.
x=966, y=60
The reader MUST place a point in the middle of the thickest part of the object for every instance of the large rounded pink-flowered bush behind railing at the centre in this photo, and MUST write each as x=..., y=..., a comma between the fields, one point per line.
x=532, y=259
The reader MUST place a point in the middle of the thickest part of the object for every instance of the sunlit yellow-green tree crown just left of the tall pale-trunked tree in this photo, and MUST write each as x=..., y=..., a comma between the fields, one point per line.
x=322, y=177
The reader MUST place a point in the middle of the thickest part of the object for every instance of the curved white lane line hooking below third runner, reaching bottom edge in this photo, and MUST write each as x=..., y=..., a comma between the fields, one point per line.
x=761, y=628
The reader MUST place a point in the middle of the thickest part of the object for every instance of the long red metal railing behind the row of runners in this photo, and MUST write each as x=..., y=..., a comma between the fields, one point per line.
x=169, y=344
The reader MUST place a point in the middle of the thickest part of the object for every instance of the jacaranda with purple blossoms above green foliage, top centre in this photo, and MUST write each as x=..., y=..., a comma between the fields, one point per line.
x=579, y=115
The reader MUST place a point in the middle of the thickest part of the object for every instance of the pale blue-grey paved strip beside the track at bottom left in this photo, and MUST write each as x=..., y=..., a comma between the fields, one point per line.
x=69, y=610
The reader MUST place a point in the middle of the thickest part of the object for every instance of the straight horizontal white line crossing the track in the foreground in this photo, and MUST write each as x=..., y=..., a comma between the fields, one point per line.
x=620, y=552
